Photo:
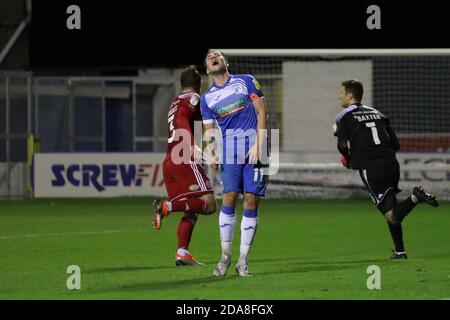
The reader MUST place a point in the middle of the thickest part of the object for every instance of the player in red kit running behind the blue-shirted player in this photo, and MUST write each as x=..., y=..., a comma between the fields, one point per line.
x=187, y=185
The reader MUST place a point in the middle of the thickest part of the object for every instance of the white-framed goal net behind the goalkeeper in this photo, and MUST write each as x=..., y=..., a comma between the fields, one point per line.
x=410, y=86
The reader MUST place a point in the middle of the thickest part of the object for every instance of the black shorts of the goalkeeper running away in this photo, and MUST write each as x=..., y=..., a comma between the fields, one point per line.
x=382, y=184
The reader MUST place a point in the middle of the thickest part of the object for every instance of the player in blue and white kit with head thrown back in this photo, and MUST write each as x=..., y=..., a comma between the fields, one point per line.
x=237, y=106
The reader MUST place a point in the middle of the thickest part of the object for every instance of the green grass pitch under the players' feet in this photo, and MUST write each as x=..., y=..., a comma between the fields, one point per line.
x=304, y=249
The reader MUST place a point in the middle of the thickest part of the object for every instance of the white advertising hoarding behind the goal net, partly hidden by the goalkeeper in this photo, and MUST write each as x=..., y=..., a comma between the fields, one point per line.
x=430, y=170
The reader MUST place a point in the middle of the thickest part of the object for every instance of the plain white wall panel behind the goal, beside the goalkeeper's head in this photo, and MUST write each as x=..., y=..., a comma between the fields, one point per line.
x=310, y=101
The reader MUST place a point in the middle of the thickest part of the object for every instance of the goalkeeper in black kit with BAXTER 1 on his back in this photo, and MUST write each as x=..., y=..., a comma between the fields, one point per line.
x=367, y=143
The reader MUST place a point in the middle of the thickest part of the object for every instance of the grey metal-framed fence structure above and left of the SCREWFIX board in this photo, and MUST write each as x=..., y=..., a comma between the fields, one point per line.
x=79, y=114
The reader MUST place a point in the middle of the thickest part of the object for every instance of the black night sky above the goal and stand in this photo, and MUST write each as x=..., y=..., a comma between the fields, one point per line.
x=129, y=34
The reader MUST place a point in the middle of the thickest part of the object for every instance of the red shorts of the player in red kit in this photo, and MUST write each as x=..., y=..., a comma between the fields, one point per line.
x=185, y=180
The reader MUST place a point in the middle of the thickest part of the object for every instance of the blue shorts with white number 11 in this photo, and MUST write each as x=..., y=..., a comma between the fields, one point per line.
x=243, y=178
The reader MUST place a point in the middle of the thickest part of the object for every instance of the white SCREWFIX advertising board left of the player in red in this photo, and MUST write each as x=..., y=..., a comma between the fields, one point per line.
x=74, y=175
